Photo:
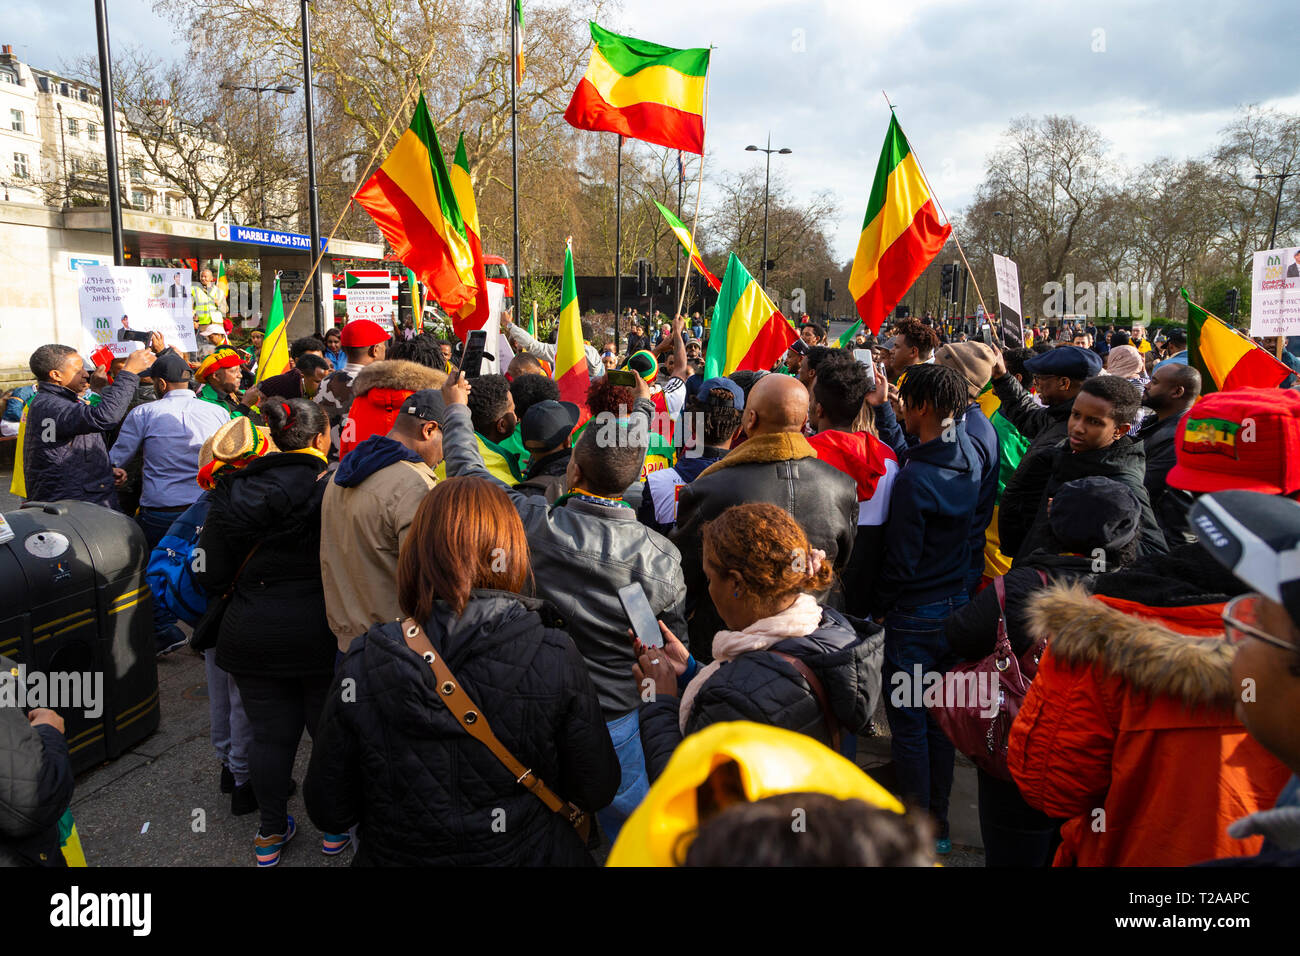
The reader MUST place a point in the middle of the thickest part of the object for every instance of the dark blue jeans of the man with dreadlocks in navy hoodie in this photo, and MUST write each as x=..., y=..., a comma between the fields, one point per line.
x=922, y=754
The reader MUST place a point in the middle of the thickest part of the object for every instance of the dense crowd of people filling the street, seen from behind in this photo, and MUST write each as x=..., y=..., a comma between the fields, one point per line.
x=436, y=578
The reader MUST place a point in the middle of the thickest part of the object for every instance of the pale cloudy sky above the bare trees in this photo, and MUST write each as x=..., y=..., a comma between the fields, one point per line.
x=1156, y=79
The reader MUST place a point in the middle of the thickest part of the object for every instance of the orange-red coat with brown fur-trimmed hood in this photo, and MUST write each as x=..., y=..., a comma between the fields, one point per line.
x=1129, y=734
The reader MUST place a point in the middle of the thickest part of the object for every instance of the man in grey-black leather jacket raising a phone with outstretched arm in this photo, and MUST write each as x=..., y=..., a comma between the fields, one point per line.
x=583, y=550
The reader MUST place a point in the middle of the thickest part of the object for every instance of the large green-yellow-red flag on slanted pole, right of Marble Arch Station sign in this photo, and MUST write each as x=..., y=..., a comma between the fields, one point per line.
x=413, y=202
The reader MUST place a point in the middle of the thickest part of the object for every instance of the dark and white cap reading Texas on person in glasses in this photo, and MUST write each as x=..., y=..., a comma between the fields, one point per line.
x=1256, y=537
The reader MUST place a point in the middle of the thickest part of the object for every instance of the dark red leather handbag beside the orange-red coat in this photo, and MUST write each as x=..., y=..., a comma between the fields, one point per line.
x=972, y=691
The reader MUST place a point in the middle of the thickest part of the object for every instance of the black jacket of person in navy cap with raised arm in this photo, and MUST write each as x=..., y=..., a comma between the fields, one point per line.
x=1045, y=429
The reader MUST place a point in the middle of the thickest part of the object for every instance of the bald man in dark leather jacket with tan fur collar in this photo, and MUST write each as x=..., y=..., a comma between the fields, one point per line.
x=774, y=465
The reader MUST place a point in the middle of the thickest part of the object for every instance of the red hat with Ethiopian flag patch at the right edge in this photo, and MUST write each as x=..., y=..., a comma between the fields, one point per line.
x=1241, y=440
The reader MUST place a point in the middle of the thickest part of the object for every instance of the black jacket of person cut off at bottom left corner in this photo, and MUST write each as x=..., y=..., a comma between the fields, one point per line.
x=36, y=788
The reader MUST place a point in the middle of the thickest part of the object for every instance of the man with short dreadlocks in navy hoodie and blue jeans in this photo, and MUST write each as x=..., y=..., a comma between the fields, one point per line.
x=924, y=574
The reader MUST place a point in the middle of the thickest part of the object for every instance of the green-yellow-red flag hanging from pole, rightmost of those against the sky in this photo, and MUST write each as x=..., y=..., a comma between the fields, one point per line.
x=900, y=235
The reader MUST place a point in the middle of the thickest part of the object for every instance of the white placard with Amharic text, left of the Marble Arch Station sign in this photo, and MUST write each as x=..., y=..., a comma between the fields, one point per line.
x=119, y=299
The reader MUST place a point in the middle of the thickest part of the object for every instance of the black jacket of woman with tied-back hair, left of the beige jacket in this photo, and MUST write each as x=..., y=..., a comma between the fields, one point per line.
x=276, y=622
